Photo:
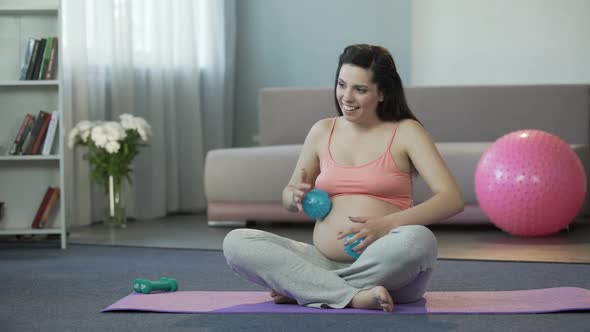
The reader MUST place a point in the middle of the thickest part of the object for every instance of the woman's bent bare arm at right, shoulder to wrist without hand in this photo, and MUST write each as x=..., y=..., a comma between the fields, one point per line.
x=447, y=199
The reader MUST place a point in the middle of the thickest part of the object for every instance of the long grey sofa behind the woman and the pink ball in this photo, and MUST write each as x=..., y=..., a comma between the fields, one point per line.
x=245, y=184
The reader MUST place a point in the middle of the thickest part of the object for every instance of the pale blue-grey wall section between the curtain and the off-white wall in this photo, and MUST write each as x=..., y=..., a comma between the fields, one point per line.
x=297, y=43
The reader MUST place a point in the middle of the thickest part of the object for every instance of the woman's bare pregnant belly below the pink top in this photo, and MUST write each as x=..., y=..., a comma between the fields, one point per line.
x=326, y=231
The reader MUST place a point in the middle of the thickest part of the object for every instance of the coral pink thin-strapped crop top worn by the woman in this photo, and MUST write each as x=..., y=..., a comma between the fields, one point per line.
x=379, y=178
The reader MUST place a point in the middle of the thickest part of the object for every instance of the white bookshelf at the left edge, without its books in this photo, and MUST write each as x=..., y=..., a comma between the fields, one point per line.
x=25, y=178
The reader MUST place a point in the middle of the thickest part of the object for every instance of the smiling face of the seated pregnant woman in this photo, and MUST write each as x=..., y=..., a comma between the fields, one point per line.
x=357, y=95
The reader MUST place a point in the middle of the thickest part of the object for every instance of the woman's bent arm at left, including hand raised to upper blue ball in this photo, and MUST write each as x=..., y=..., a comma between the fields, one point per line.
x=306, y=169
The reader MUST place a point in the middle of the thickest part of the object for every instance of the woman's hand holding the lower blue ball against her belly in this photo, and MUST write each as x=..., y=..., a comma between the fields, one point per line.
x=369, y=228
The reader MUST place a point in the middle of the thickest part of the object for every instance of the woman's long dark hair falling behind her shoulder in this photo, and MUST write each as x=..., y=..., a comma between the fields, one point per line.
x=379, y=61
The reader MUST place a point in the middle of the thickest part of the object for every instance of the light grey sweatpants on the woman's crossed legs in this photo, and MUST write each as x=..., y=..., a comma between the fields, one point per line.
x=402, y=262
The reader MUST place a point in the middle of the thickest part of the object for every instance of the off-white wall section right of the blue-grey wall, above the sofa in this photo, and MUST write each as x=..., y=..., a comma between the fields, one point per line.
x=469, y=42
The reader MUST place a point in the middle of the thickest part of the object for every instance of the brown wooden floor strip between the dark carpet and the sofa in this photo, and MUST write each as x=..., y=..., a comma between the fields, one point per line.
x=455, y=242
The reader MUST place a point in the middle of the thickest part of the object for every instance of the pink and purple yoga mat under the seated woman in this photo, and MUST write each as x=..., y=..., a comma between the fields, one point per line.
x=480, y=302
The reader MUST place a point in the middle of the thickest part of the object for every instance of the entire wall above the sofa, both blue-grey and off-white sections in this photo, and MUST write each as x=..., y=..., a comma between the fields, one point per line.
x=435, y=42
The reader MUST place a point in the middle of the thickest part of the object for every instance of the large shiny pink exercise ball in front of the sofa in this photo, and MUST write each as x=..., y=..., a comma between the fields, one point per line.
x=530, y=183
